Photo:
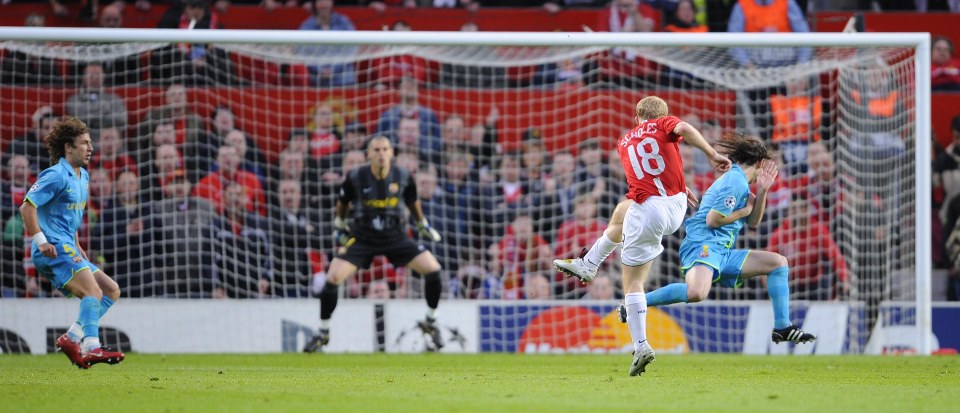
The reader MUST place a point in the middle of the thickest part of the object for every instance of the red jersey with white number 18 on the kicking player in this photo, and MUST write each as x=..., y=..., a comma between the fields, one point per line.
x=650, y=154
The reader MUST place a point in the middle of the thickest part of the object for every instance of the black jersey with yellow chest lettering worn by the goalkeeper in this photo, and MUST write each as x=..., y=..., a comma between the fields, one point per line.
x=378, y=204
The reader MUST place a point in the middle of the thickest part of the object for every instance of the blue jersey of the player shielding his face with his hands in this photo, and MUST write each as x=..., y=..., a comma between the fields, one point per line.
x=727, y=194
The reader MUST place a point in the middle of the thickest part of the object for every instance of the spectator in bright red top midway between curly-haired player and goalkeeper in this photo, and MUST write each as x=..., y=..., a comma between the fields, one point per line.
x=211, y=186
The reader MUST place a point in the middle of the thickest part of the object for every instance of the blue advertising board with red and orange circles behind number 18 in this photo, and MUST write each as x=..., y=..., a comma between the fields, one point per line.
x=718, y=327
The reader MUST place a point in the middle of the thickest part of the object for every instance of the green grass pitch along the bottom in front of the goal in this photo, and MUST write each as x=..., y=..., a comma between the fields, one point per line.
x=481, y=383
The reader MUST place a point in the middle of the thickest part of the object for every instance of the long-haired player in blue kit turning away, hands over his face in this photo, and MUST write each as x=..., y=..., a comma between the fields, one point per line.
x=706, y=253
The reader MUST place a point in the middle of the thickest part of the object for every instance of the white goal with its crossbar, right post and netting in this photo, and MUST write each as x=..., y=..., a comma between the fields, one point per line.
x=219, y=157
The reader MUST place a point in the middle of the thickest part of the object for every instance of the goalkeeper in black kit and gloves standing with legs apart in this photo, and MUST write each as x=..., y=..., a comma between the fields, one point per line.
x=374, y=196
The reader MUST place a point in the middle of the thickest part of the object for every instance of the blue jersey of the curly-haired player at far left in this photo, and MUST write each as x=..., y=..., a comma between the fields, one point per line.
x=61, y=198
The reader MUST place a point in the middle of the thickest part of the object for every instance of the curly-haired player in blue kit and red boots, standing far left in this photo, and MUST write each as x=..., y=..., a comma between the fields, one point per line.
x=52, y=211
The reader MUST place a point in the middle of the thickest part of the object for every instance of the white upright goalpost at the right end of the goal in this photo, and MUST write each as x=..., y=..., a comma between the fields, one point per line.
x=924, y=255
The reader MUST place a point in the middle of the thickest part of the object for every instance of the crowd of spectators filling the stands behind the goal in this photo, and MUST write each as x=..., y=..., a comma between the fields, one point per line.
x=185, y=204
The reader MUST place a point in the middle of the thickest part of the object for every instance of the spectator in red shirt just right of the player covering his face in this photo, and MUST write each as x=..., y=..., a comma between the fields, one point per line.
x=818, y=269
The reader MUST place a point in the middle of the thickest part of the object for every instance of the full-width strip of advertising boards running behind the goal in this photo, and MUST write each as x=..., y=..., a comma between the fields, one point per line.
x=366, y=326
